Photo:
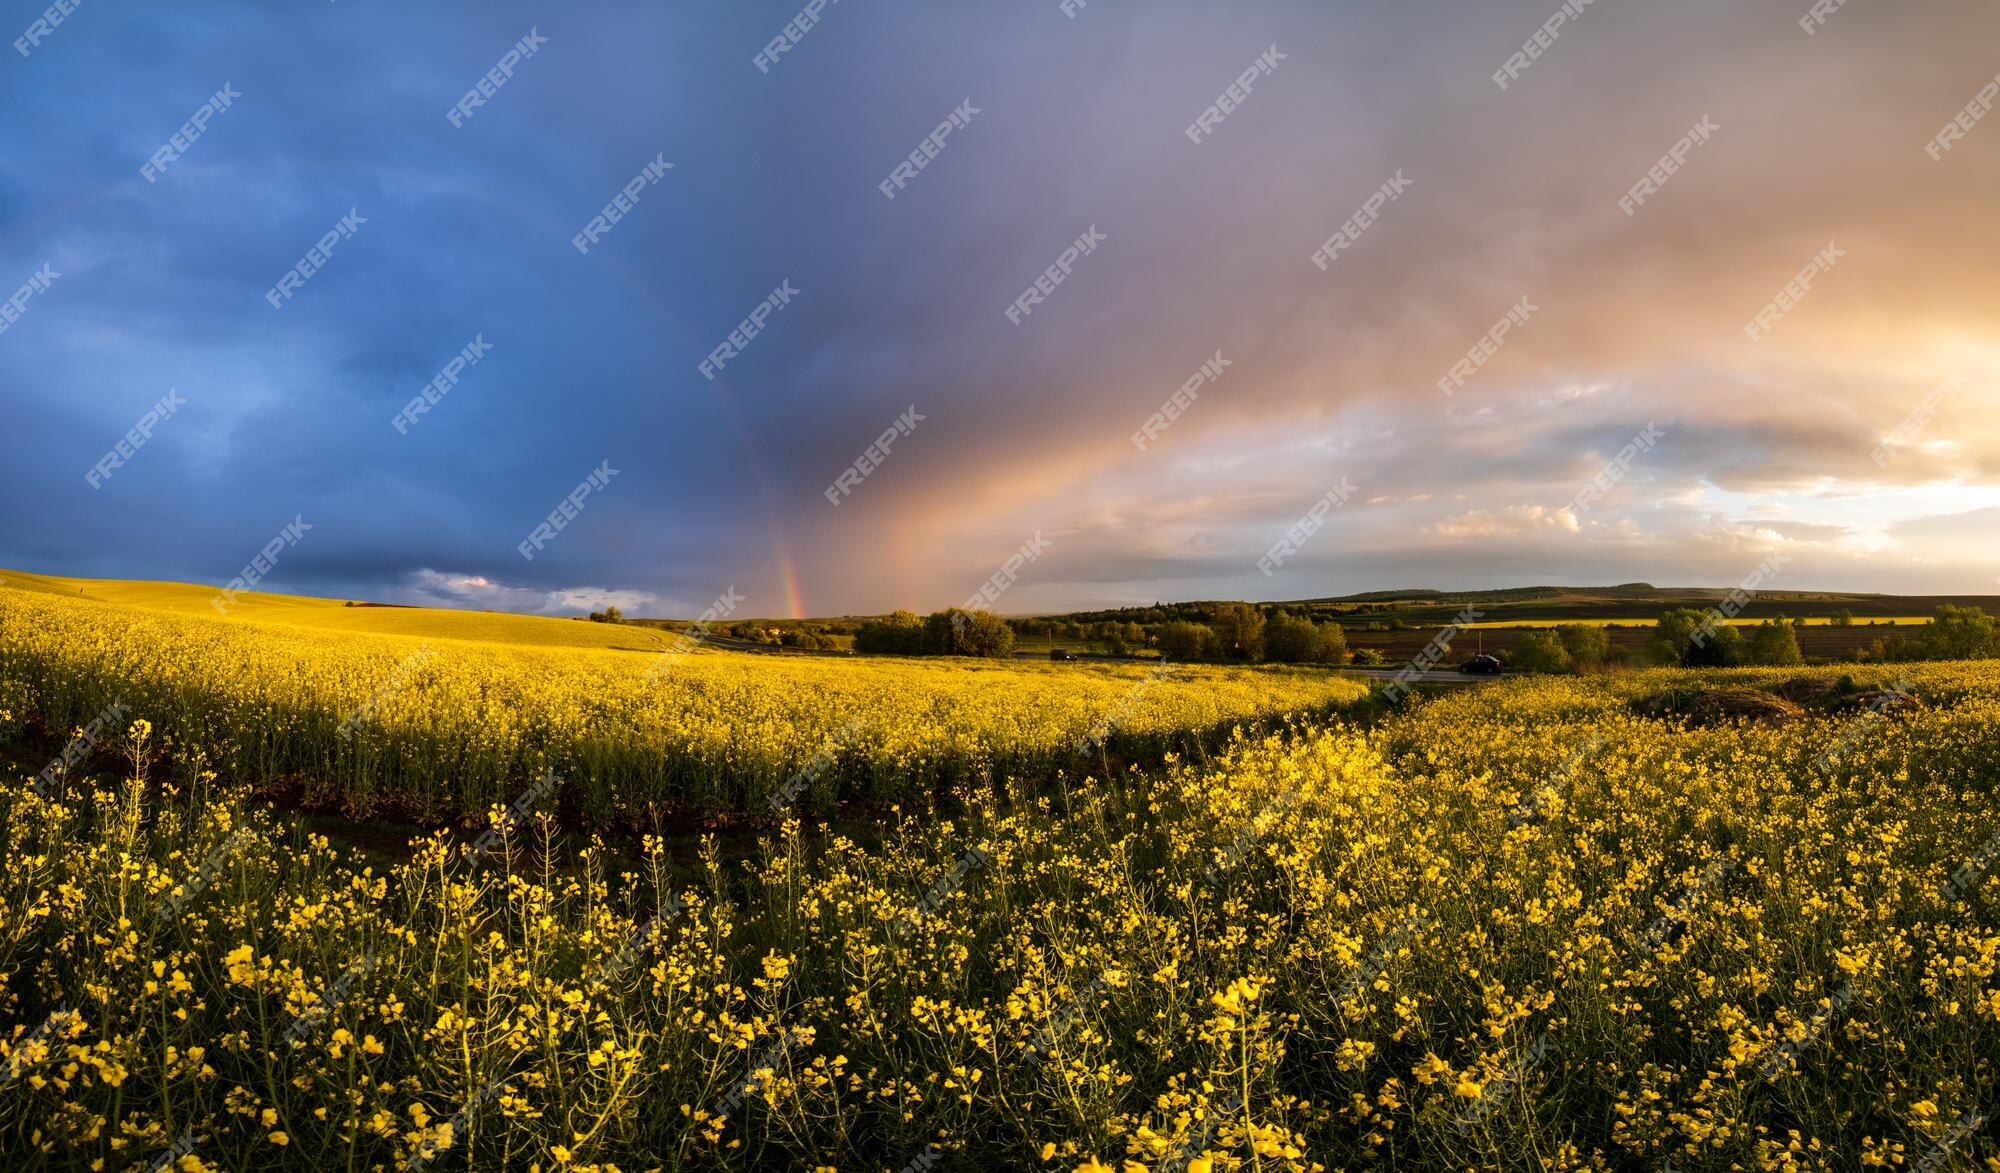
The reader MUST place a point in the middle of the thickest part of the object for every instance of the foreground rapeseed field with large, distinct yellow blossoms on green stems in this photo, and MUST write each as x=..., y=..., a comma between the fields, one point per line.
x=1511, y=928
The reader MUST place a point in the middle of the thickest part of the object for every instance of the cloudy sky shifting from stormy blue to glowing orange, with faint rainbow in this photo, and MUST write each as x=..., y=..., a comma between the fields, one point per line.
x=1857, y=431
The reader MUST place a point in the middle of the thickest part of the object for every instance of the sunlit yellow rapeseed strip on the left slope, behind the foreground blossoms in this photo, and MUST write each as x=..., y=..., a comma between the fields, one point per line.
x=449, y=728
